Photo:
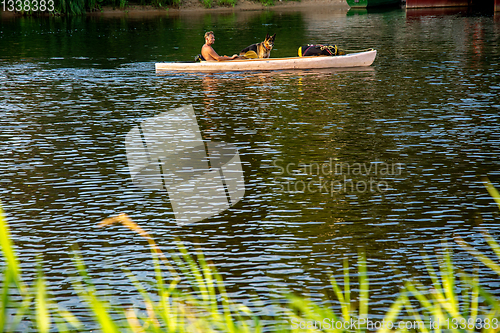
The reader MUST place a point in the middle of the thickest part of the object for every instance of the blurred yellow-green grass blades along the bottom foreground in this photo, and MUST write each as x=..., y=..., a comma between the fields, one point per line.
x=455, y=302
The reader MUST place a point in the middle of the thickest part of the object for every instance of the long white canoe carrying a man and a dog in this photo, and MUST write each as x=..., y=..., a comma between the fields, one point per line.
x=348, y=60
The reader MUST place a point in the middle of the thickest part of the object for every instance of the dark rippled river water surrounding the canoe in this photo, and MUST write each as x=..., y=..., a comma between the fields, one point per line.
x=386, y=159
